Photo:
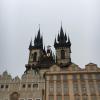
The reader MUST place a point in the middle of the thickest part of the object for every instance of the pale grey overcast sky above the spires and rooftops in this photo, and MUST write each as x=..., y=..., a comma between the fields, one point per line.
x=20, y=19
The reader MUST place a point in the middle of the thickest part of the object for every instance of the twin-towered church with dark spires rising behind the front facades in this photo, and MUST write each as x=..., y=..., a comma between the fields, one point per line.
x=40, y=58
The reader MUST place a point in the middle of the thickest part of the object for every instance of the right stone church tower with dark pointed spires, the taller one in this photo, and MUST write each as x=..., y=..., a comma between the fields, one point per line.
x=63, y=51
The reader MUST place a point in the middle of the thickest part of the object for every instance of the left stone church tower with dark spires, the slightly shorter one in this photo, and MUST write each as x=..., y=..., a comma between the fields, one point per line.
x=36, y=50
